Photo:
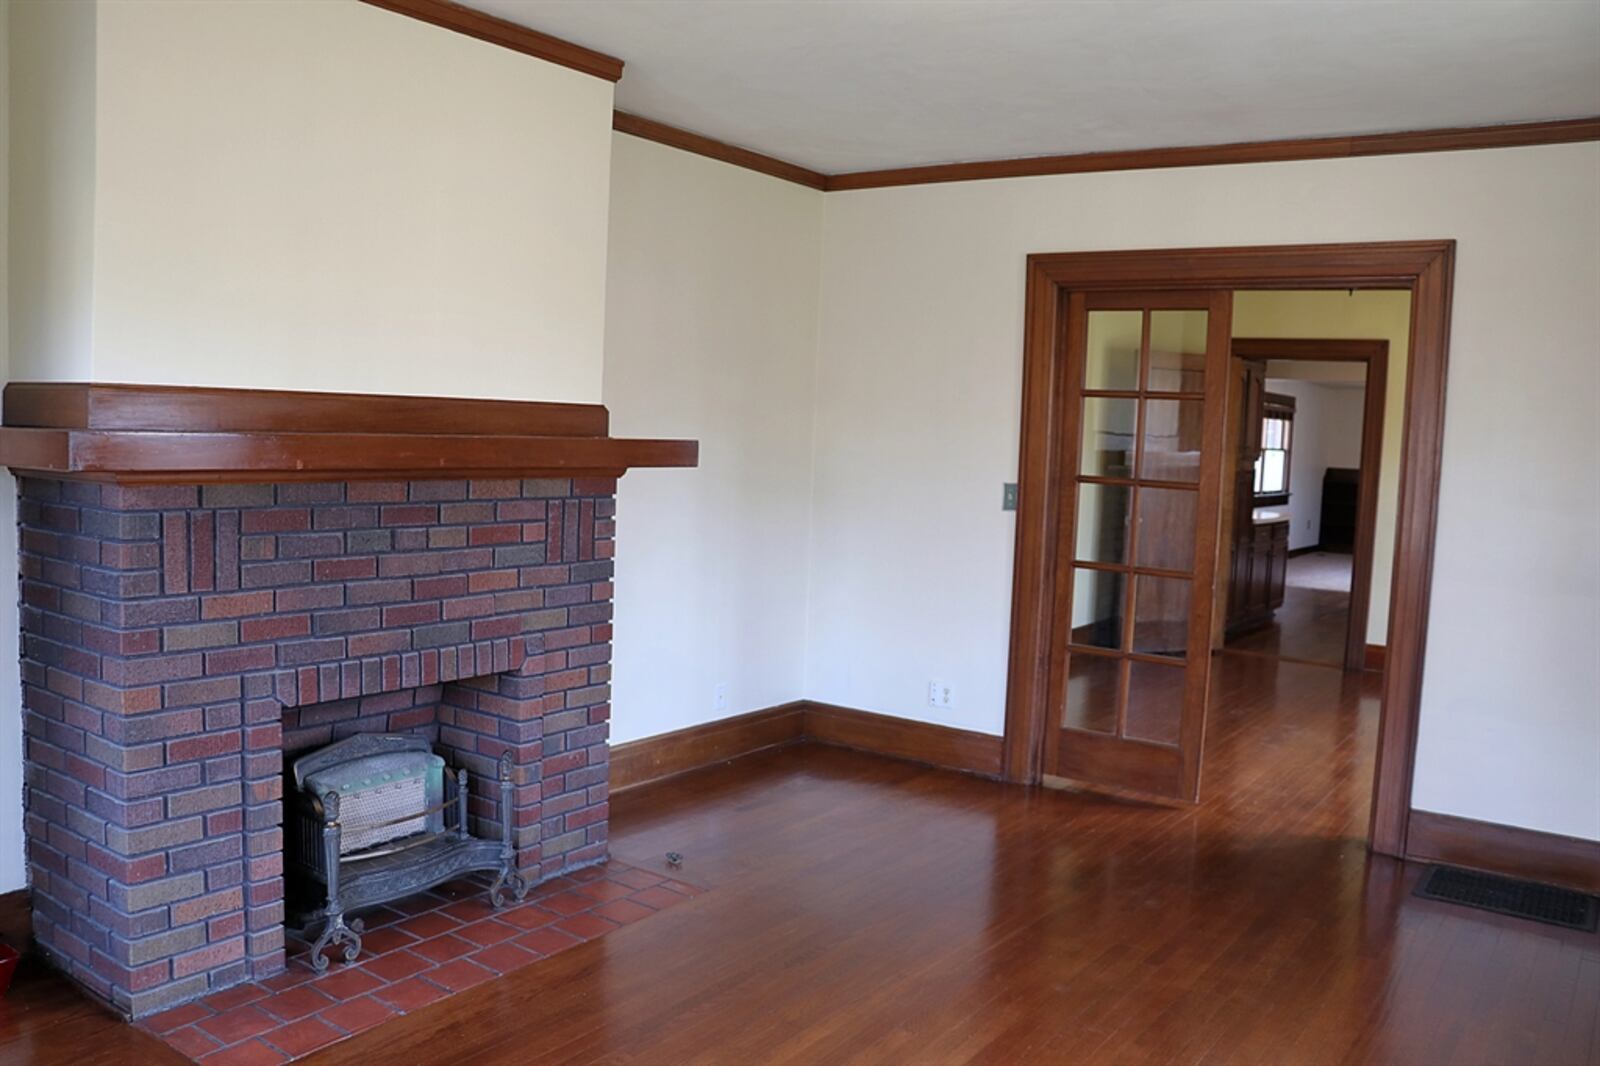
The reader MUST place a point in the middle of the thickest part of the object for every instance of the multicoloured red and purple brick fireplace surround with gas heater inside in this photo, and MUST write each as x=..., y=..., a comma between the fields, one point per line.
x=180, y=638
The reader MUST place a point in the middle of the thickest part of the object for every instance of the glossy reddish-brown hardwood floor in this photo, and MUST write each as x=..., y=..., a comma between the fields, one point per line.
x=873, y=912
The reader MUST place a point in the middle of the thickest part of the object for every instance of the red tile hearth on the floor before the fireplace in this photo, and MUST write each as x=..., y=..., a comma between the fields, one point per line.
x=415, y=953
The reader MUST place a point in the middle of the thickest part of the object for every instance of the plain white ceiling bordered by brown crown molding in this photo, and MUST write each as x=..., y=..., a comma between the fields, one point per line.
x=842, y=86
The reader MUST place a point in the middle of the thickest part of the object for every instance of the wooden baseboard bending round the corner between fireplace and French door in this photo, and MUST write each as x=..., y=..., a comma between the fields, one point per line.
x=657, y=758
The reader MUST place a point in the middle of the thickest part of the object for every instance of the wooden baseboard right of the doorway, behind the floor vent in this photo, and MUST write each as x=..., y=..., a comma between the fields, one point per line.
x=1543, y=857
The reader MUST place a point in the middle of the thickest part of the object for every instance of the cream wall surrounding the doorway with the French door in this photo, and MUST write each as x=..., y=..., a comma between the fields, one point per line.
x=919, y=383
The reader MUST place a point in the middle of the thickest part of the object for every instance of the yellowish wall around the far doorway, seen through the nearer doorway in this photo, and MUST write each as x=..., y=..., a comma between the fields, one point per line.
x=1383, y=316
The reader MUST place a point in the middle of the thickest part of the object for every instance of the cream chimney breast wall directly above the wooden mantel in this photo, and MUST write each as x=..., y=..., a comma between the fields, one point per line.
x=329, y=196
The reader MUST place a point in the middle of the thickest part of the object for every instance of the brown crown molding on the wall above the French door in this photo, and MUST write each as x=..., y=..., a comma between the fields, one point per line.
x=1452, y=140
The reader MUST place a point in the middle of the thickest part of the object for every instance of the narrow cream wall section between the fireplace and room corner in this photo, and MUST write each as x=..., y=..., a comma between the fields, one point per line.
x=711, y=334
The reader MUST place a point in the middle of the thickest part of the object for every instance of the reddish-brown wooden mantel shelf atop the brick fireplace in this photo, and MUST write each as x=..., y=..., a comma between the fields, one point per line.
x=127, y=433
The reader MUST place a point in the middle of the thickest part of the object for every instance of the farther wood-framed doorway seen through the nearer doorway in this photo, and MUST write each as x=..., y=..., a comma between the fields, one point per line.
x=1306, y=451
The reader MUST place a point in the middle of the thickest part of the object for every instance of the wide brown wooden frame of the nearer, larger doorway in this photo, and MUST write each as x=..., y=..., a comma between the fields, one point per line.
x=1422, y=268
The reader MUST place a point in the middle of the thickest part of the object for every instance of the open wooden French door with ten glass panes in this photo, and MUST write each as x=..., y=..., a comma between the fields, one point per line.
x=1138, y=537
